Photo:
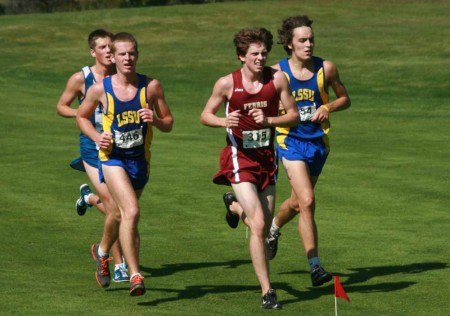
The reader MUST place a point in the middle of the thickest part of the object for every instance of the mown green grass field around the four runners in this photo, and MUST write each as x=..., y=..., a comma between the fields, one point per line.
x=382, y=200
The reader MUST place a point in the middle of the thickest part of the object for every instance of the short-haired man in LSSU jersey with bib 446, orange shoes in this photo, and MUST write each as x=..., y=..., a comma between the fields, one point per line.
x=132, y=105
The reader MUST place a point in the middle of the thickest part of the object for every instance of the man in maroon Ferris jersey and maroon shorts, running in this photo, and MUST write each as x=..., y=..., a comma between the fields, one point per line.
x=251, y=96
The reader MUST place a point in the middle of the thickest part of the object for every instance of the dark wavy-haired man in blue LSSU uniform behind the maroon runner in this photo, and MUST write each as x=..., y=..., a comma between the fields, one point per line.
x=303, y=149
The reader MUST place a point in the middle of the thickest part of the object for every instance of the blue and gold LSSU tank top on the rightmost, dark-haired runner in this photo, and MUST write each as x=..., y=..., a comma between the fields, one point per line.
x=309, y=95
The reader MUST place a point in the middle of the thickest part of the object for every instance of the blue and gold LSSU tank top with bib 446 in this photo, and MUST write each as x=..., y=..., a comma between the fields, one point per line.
x=131, y=136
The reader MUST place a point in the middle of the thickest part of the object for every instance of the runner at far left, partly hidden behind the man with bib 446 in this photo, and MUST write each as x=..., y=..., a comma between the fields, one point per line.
x=76, y=88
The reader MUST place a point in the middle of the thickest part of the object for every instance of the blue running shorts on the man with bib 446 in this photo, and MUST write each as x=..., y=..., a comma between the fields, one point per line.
x=137, y=169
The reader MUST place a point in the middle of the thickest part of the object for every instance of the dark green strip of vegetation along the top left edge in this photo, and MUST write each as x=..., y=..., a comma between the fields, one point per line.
x=48, y=6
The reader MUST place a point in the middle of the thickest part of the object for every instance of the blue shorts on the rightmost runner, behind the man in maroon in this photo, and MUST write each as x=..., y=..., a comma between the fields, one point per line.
x=312, y=151
